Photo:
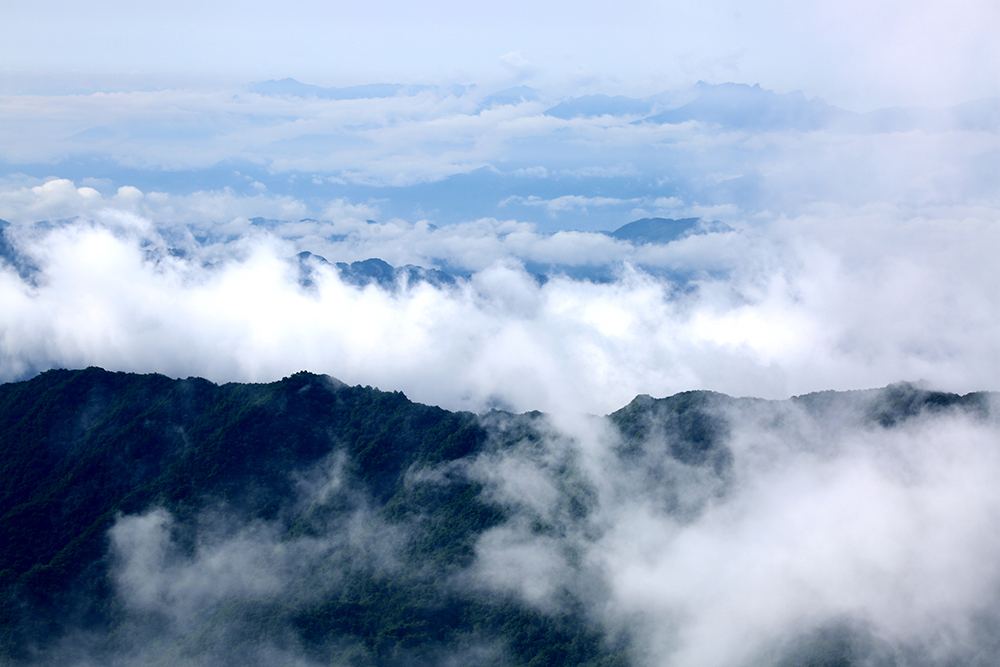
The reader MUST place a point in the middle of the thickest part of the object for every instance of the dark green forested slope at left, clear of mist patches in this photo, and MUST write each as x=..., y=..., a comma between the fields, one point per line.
x=82, y=448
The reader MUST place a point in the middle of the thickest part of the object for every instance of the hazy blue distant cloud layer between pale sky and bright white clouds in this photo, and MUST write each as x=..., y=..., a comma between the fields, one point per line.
x=453, y=154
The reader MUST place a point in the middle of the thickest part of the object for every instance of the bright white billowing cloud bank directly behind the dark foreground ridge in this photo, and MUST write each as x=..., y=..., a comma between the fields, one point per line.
x=839, y=298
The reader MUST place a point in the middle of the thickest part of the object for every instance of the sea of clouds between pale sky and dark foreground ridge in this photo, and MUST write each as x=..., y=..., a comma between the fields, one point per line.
x=848, y=256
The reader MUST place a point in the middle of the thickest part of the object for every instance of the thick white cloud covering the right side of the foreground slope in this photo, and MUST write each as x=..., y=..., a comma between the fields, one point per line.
x=822, y=521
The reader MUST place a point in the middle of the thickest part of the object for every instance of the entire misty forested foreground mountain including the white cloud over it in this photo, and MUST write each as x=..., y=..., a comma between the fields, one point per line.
x=149, y=521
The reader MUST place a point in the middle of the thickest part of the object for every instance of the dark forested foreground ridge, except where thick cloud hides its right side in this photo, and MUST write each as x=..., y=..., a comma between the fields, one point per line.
x=146, y=520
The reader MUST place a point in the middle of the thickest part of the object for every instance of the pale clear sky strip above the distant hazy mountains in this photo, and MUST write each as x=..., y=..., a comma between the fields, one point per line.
x=861, y=55
